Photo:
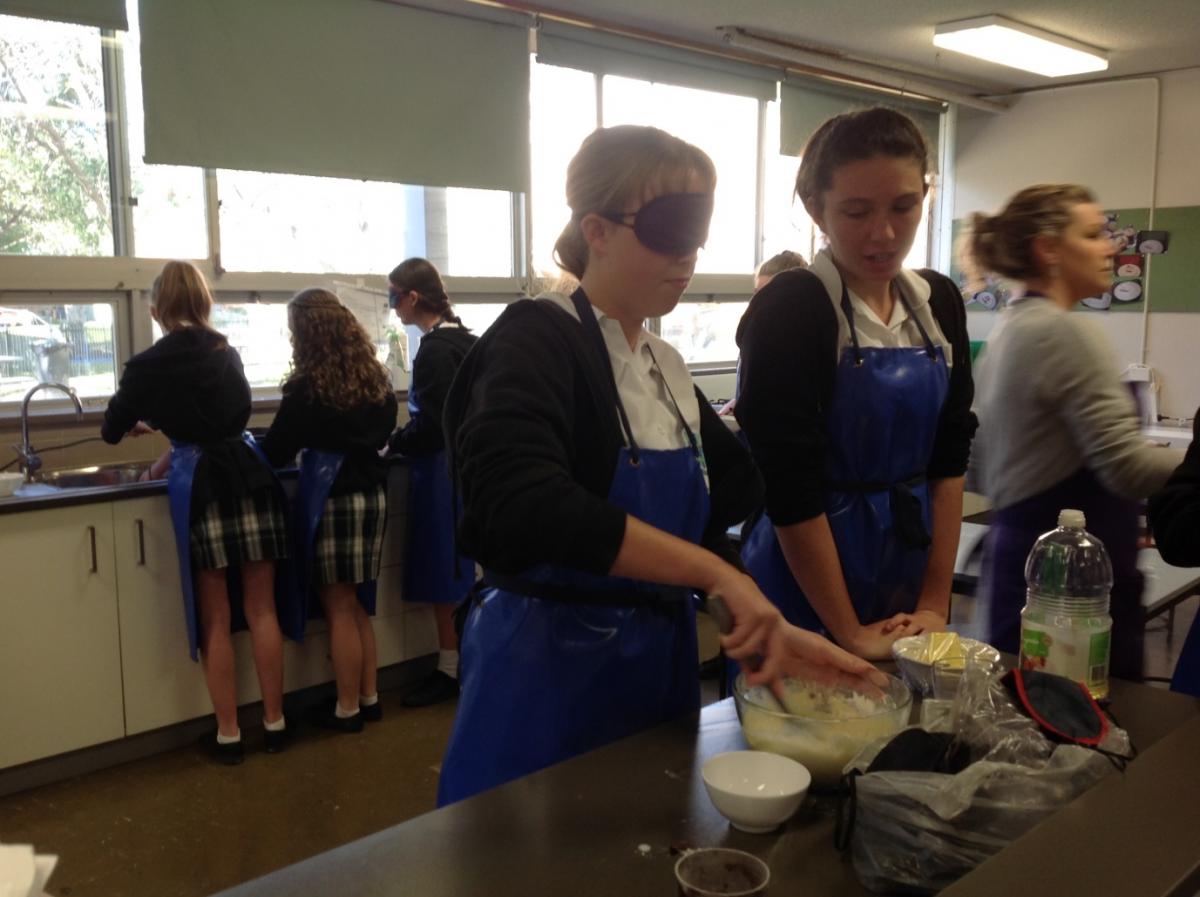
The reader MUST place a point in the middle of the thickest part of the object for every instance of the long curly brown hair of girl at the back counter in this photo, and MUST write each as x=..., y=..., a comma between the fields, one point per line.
x=334, y=353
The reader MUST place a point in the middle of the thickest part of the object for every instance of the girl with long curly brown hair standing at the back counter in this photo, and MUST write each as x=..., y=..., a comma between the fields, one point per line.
x=339, y=407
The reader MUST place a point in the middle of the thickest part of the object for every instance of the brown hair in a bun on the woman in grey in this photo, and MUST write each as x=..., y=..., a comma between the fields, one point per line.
x=1004, y=244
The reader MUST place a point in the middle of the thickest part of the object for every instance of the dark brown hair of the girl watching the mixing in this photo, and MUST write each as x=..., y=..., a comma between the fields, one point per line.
x=853, y=137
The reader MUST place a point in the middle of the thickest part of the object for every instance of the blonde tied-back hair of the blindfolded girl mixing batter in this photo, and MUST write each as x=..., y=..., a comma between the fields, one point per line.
x=617, y=165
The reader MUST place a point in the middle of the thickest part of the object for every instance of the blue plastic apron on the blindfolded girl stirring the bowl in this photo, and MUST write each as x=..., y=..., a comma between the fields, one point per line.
x=544, y=681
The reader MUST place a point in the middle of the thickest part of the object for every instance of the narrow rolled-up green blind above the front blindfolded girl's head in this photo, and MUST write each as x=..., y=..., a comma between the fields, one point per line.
x=614, y=55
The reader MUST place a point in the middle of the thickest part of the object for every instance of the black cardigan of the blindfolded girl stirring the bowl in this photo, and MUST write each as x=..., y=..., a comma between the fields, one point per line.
x=535, y=441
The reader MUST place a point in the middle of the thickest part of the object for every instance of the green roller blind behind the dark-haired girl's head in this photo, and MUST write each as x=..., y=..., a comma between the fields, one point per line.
x=803, y=107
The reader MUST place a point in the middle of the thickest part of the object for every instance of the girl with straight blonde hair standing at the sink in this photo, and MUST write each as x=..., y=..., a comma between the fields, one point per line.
x=225, y=501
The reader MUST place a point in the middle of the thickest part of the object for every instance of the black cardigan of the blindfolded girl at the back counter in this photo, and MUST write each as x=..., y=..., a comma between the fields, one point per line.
x=437, y=360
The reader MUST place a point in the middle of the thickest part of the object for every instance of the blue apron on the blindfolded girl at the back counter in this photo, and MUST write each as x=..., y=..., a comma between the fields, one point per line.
x=434, y=571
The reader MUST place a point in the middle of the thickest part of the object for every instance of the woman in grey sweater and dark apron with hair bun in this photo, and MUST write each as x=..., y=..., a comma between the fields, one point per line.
x=1059, y=429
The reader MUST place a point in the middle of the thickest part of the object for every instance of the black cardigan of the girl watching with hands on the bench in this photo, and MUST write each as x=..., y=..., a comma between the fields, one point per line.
x=789, y=342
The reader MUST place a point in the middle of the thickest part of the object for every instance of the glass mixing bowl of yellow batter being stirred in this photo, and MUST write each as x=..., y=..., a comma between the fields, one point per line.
x=824, y=727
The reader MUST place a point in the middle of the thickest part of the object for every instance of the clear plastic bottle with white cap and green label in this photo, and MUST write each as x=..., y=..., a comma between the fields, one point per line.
x=1066, y=628
